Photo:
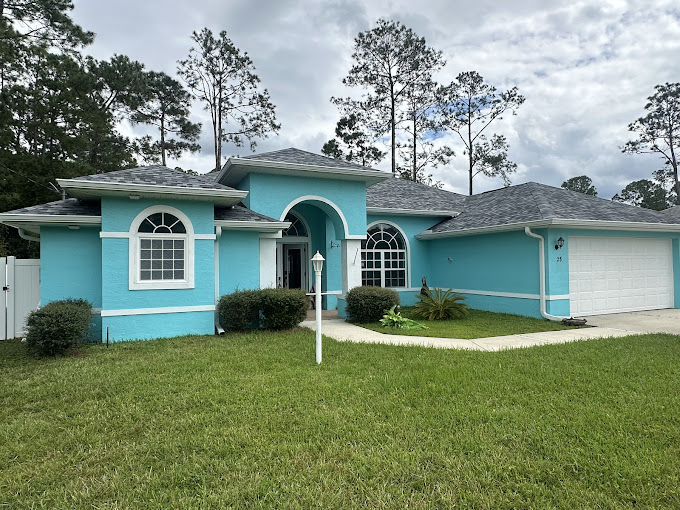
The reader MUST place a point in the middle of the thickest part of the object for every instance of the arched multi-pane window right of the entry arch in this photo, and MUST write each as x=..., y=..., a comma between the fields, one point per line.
x=383, y=257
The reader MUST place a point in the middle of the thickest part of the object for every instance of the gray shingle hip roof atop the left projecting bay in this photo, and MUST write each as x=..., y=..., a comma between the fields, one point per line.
x=156, y=175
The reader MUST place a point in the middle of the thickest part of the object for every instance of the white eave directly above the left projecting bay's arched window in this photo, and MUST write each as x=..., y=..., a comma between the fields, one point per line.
x=80, y=188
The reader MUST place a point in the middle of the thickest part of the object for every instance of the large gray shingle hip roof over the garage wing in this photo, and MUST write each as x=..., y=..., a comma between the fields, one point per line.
x=534, y=202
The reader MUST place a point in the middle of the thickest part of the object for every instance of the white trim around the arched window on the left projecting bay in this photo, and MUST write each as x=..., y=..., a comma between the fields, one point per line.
x=135, y=283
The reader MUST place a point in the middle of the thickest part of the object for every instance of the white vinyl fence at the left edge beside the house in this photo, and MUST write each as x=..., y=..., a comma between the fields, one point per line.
x=20, y=294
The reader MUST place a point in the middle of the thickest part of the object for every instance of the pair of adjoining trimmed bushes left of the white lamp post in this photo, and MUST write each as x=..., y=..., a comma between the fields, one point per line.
x=274, y=309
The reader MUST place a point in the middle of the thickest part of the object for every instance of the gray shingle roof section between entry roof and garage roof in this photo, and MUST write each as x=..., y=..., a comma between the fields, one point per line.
x=409, y=195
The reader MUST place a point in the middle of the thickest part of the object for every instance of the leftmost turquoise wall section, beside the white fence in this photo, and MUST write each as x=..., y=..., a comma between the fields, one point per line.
x=70, y=264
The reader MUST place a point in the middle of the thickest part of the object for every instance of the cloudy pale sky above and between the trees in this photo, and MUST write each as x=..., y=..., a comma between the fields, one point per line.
x=585, y=68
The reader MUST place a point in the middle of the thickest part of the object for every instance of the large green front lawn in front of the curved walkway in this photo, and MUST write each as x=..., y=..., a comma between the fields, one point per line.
x=250, y=421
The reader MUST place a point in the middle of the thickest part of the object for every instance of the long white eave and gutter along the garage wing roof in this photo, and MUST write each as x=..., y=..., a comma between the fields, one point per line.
x=566, y=223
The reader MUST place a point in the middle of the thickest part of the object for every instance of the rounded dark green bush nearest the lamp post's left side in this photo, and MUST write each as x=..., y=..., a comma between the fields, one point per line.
x=283, y=308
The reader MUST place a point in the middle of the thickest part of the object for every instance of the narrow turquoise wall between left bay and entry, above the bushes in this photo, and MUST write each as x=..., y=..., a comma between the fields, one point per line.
x=239, y=261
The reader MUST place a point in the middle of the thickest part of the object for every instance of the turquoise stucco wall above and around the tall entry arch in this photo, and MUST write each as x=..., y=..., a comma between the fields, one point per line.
x=271, y=194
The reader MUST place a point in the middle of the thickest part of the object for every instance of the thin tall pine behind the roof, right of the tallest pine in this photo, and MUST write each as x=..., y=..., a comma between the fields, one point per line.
x=470, y=107
